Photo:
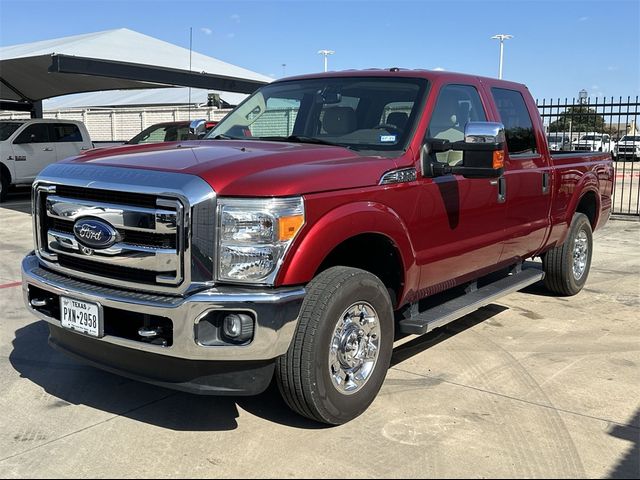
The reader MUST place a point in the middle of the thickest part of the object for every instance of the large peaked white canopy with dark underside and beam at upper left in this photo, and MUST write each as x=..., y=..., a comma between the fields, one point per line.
x=112, y=60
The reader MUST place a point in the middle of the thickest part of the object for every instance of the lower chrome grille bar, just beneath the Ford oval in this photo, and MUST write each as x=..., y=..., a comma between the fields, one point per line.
x=122, y=254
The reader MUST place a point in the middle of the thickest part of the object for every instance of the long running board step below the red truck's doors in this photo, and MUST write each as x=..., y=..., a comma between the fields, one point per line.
x=447, y=312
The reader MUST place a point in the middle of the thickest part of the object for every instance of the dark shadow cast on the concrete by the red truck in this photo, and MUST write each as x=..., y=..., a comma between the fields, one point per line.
x=71, y=382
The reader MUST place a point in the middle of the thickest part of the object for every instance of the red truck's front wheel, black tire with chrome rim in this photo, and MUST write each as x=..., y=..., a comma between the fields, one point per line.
x=329, y=316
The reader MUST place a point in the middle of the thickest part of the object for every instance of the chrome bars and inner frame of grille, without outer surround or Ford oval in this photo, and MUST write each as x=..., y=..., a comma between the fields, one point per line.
x=149, y=243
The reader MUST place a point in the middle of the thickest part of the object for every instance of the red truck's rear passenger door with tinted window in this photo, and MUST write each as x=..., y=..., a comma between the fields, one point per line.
x=527, y=175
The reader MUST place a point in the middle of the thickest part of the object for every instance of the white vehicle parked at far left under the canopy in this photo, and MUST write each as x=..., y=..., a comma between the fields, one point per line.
x=27, y=146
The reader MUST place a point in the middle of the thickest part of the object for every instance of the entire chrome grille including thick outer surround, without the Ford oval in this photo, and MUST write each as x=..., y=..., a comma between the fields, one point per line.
x=163, y=239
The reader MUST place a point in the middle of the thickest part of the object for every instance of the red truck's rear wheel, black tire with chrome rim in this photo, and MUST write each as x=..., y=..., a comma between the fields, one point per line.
x=567, y=266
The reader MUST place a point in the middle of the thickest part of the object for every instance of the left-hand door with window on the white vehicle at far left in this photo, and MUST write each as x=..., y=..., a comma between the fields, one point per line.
x=33, y=150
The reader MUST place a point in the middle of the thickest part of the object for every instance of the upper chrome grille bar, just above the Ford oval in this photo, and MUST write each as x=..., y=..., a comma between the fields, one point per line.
x=131, y=218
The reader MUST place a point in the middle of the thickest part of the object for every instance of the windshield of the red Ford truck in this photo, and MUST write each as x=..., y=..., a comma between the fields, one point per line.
x=361, y=113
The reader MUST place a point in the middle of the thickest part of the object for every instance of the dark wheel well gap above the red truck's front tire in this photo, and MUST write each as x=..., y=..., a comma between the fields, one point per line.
x=374, y=253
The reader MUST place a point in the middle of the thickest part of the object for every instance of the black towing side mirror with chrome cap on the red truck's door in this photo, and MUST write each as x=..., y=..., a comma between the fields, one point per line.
x=482, y=148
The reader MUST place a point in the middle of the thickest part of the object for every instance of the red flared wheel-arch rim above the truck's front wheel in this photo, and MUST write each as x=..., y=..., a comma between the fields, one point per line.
x=338, y=225
